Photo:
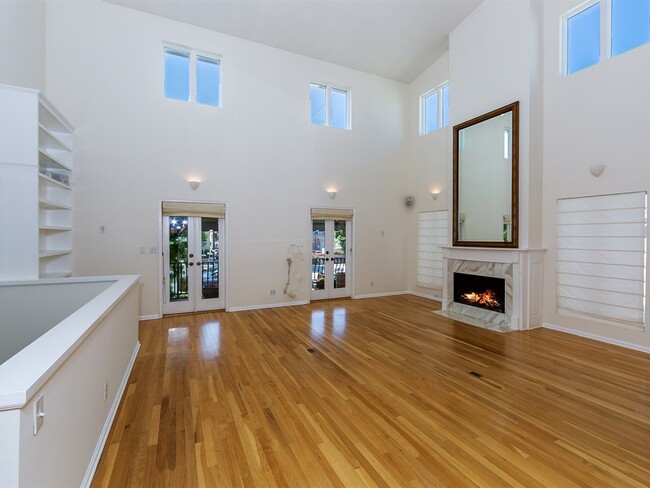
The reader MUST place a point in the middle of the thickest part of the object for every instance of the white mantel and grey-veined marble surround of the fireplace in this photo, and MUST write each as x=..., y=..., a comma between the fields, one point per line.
x=522, y=270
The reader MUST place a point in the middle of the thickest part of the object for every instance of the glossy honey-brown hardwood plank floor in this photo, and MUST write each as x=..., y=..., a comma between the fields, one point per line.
x=376, y=392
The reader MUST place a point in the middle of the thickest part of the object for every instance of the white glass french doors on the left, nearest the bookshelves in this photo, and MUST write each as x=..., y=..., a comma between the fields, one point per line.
x=192, y=264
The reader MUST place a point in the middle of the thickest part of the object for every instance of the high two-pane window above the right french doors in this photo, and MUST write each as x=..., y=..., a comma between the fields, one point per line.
x=330, y=106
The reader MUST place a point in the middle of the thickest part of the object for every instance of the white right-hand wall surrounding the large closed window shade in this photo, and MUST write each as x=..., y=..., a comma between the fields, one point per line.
x=598, y=115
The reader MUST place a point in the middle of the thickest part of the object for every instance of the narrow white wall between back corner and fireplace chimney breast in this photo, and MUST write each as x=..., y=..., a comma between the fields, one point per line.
x=429, y=165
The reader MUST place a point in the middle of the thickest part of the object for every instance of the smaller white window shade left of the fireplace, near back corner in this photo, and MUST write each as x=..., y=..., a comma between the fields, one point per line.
x=432, y=233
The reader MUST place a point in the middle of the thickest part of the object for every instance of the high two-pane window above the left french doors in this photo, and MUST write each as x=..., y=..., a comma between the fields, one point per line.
x=192, y=77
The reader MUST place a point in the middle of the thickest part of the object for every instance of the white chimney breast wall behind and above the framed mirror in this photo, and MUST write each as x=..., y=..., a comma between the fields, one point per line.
x=494, y=57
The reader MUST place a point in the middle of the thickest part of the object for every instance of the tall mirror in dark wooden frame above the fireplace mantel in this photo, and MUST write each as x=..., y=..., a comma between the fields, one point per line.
x=486, y=177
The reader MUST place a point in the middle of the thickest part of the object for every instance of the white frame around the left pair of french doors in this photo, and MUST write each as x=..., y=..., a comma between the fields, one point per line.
x=223, y=251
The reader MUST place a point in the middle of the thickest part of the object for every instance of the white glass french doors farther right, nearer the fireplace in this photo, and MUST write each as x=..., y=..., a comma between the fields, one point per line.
x=330, y=261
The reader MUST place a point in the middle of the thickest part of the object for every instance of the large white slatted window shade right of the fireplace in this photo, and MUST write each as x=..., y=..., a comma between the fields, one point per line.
x=601, y=256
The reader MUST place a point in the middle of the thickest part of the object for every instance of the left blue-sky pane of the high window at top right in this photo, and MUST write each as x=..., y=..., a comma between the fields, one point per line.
x=583, y=39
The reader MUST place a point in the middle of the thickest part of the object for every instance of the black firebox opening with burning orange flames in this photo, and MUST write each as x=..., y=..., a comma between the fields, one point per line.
x=485, y=292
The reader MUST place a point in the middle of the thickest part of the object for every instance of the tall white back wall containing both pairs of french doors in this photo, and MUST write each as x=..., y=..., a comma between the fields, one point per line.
x=258, y=153
